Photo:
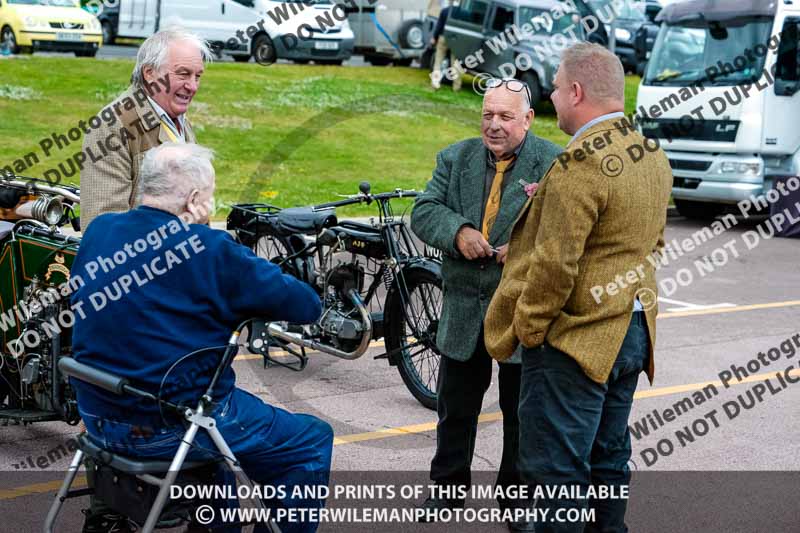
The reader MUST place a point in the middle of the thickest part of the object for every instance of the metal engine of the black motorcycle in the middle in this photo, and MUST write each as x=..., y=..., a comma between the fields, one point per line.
x=341, y=321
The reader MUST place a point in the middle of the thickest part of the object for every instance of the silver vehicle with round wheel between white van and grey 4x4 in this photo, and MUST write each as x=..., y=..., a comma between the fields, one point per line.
x=388, y=31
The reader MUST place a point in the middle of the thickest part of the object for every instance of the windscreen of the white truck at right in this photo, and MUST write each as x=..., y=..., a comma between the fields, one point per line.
x=683, y=52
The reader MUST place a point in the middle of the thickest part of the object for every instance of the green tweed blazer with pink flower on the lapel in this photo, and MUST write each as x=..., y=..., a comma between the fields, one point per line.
x=454, y=198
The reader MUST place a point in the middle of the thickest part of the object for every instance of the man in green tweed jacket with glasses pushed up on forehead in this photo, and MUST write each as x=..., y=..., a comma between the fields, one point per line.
x=467, y=211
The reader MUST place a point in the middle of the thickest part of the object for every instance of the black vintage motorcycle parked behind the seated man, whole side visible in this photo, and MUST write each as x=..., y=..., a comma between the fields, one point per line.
x=371, y=277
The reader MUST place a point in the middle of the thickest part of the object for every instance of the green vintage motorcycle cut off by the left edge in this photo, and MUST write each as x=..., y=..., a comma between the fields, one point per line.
x=36, y=323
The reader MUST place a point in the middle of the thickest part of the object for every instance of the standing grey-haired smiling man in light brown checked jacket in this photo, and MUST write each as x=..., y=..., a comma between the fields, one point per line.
x=151, y=112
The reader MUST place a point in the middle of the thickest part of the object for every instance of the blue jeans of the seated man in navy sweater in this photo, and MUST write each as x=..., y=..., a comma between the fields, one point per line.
x=274, y=447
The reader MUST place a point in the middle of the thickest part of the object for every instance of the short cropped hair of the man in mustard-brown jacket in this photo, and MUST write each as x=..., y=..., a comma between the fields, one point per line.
x=599, y=72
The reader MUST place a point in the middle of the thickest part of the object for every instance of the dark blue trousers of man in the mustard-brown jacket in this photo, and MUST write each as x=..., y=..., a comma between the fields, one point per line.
x=575, y=431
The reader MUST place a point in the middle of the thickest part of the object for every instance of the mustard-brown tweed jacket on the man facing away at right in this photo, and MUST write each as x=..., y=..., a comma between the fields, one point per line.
x=587, y=224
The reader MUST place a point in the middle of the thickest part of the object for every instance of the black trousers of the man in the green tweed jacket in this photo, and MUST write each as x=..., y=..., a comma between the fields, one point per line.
x=462, y=385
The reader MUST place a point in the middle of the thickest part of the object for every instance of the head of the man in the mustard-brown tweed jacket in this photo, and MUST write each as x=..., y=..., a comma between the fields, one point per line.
x=590, y=82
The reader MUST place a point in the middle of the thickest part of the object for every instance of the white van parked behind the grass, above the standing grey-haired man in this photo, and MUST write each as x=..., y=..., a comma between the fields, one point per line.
x=302, y=30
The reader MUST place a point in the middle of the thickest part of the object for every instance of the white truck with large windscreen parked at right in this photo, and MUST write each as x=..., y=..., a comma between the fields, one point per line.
x=721, y=93
